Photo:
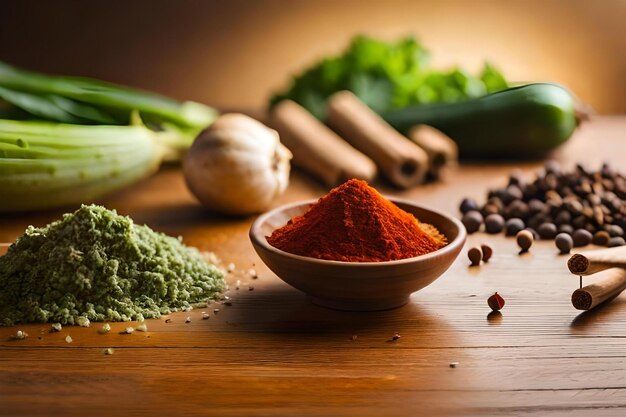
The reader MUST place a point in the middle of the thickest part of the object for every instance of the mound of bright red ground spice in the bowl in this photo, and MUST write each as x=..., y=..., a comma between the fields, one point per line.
x=354, y=223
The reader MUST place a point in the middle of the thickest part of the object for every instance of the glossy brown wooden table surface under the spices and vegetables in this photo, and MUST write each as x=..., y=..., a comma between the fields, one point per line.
x=273, y=353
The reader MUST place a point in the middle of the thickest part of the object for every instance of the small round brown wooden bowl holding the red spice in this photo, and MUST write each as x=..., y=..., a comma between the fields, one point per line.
x=358, y=286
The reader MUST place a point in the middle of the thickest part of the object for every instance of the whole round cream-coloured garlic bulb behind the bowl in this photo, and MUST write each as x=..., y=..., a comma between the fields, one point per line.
x=237, y=165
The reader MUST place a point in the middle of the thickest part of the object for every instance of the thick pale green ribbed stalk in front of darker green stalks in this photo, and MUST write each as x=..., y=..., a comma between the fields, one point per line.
x=47, y=165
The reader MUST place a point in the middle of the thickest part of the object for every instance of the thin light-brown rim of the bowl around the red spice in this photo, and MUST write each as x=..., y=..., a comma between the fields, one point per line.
x=258, y=238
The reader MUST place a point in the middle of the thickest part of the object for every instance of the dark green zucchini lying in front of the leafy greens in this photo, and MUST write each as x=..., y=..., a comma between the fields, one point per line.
x=520, y=122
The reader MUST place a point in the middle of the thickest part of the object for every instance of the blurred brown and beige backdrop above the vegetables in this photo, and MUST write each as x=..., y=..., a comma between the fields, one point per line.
x=233, y=54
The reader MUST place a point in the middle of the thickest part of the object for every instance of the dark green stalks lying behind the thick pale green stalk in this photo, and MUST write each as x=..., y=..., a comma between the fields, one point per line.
x=87, y=101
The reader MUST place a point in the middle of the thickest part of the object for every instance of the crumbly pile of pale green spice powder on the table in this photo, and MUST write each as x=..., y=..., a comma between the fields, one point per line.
x=97, y=264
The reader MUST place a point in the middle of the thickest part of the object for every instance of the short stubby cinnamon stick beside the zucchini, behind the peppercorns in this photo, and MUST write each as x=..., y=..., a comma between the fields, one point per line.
x=441, y=150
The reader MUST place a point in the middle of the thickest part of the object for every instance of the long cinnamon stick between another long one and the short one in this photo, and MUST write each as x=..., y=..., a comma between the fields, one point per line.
x=403, y=162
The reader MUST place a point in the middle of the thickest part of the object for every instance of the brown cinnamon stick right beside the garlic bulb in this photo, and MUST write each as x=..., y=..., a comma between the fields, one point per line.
x=316, y=148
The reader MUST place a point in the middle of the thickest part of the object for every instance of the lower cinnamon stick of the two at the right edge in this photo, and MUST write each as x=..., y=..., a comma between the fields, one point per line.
x=612, y=283
